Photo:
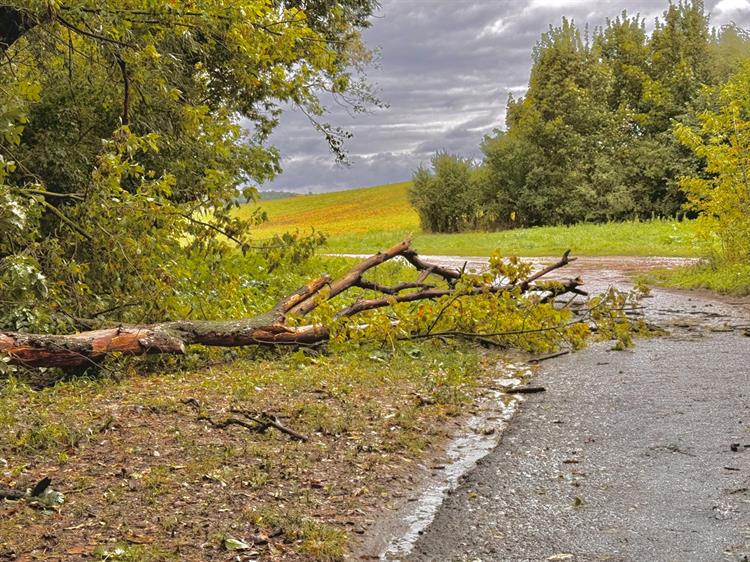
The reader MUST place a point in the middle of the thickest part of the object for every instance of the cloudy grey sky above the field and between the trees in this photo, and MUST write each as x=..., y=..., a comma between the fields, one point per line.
x=446, y=68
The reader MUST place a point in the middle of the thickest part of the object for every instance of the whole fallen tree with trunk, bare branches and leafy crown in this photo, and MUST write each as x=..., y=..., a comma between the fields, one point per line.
x=496, y=307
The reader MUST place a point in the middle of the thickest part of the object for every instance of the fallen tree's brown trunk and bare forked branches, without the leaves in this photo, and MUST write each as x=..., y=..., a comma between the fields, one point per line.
x=91, y=347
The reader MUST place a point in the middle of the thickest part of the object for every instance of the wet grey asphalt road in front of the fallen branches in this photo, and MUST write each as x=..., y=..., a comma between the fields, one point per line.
x=640, y=455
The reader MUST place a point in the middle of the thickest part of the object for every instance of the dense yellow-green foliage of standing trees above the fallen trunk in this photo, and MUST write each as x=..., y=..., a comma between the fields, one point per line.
x=127, y=131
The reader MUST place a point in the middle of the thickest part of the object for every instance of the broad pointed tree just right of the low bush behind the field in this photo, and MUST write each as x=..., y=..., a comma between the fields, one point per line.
x=560, y=133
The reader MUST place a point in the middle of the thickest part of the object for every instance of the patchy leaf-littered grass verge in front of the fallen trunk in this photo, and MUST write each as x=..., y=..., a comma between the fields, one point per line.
x=145, y=478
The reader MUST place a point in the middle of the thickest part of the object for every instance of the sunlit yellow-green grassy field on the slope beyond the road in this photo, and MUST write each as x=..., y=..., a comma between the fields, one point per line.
x=370, y=219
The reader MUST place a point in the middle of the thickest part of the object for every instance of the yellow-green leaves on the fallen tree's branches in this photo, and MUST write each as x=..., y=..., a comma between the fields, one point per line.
x=530, y=321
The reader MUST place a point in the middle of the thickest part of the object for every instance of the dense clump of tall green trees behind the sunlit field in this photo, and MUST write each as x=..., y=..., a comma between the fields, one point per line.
x=593, y=138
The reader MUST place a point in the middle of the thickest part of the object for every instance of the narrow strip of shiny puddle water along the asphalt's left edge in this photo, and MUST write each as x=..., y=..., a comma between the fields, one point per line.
x=481, y=435
